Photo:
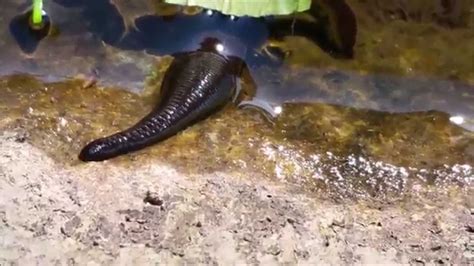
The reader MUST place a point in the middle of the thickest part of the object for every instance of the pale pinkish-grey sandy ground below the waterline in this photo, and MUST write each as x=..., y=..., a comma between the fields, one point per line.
x=100, y=213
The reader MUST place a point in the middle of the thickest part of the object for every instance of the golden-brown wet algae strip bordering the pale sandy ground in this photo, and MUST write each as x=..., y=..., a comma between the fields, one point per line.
x=310, y=145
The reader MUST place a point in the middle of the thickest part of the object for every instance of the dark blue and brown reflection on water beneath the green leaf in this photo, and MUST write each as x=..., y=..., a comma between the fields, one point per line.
x=179, y=32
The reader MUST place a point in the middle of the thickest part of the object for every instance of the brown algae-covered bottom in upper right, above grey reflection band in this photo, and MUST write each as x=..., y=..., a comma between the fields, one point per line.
x=414, y=38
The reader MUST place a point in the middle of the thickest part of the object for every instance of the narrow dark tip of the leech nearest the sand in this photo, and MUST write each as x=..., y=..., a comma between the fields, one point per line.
x=98, y=150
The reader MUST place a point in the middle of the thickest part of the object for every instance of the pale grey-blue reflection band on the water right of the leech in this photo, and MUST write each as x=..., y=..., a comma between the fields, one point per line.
x=386, y=93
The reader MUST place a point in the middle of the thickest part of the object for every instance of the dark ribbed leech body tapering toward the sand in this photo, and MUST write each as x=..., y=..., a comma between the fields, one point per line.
x=195, y=85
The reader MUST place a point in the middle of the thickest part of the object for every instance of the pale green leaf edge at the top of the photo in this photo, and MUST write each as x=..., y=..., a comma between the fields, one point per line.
x=254, y=8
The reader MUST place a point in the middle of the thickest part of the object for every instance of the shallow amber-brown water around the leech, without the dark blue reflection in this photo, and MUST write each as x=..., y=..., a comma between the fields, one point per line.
x=387, y=123
